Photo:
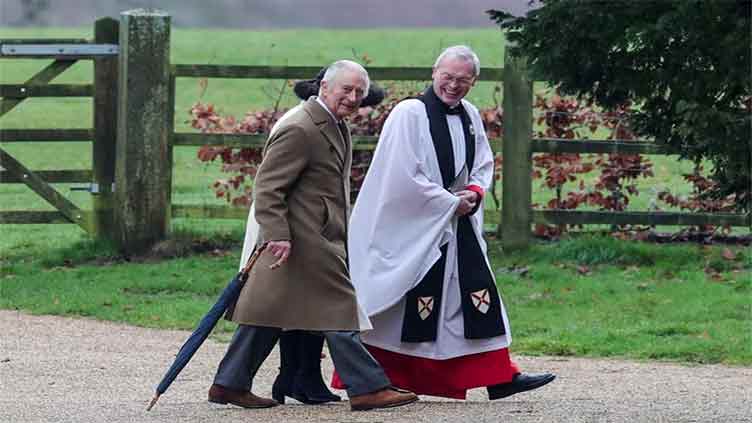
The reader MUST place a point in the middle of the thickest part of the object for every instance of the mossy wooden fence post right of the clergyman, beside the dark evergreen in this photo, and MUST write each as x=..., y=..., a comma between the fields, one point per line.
x=517, y=180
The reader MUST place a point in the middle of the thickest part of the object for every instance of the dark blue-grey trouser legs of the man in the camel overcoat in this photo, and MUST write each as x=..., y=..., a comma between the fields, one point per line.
x=251, y=345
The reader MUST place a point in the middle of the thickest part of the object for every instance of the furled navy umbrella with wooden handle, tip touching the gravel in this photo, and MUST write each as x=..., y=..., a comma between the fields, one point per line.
x=205, y=326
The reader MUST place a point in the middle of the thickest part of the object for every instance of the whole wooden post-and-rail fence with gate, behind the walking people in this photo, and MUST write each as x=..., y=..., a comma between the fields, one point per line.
x=133, y=134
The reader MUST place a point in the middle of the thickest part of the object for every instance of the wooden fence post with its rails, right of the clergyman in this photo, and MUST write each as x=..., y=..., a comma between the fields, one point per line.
x=518, y=147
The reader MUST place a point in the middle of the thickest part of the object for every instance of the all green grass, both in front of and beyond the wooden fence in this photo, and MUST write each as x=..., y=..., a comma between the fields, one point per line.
x=583, y=296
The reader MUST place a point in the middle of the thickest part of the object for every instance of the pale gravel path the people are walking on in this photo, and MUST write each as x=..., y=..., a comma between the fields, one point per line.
x=55, y=369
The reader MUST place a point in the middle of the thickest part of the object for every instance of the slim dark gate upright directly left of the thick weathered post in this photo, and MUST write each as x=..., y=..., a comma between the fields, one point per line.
x=105, y=130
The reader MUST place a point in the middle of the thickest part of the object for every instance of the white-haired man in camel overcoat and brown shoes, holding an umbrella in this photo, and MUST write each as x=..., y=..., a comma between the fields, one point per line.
x=301, y=281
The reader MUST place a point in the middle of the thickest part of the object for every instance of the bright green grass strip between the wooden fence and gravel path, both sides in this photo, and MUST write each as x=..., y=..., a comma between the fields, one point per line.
x=587, y=296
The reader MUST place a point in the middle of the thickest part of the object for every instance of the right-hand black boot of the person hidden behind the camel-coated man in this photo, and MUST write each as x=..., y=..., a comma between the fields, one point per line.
x=309, y=386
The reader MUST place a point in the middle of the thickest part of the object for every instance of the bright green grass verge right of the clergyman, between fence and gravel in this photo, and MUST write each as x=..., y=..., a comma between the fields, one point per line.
x=603, y=297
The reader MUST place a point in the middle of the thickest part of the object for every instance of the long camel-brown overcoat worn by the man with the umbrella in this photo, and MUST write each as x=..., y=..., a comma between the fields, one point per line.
x=302, y=194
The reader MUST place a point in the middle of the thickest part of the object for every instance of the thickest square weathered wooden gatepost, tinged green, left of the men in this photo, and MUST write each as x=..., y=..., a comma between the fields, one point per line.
x=143, y=178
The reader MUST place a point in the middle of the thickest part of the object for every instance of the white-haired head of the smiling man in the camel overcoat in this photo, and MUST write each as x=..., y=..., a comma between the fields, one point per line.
x=345, y=92
